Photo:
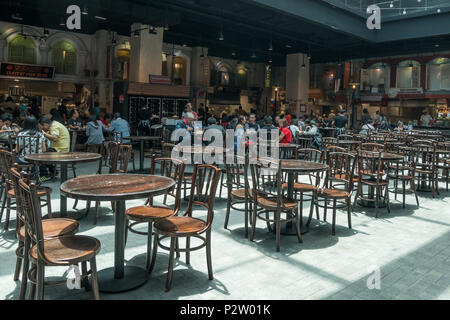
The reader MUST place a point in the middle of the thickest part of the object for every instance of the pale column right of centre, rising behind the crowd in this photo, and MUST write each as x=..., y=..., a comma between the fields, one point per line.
x=297, y=79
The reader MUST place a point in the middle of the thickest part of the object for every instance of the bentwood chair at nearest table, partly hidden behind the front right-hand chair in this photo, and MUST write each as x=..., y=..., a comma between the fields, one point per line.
x=171, y=168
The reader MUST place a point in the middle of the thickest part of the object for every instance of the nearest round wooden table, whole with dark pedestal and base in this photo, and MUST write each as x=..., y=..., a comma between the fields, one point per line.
x=118, y=188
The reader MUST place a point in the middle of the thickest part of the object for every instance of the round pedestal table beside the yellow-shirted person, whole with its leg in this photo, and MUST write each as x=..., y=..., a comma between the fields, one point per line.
x=63, y=159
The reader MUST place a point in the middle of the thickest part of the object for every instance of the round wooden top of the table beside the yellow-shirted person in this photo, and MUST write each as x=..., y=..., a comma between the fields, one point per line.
x=63, y=157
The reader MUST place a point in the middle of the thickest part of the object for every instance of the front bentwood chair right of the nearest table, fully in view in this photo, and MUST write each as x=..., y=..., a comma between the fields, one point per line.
x=205, y=179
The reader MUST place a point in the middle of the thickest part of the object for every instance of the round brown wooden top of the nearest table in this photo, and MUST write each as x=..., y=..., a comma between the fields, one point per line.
x=116, y=187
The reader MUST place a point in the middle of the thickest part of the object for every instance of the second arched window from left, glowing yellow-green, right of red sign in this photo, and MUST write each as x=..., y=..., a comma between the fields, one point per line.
x=64, y=58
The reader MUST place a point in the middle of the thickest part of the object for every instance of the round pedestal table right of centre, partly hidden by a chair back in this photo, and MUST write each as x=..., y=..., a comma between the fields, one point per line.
x=292, y=167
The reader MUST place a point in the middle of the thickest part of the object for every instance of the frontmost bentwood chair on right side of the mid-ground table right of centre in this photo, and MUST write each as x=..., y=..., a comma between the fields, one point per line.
x=342, y=165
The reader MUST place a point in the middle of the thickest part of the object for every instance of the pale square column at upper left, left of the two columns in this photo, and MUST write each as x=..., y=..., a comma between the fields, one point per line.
x=146, y=53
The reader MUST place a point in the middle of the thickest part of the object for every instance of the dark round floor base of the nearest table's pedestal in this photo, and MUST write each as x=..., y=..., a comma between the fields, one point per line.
x=134, y=277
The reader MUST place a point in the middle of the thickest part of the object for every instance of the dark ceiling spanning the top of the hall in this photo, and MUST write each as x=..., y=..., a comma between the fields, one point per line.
x=247, y=28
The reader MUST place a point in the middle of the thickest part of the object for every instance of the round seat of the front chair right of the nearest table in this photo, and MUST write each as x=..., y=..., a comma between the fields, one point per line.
x=178, y=226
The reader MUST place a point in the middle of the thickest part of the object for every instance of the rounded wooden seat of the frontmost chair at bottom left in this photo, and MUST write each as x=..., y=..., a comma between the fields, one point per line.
x=68, y=250
